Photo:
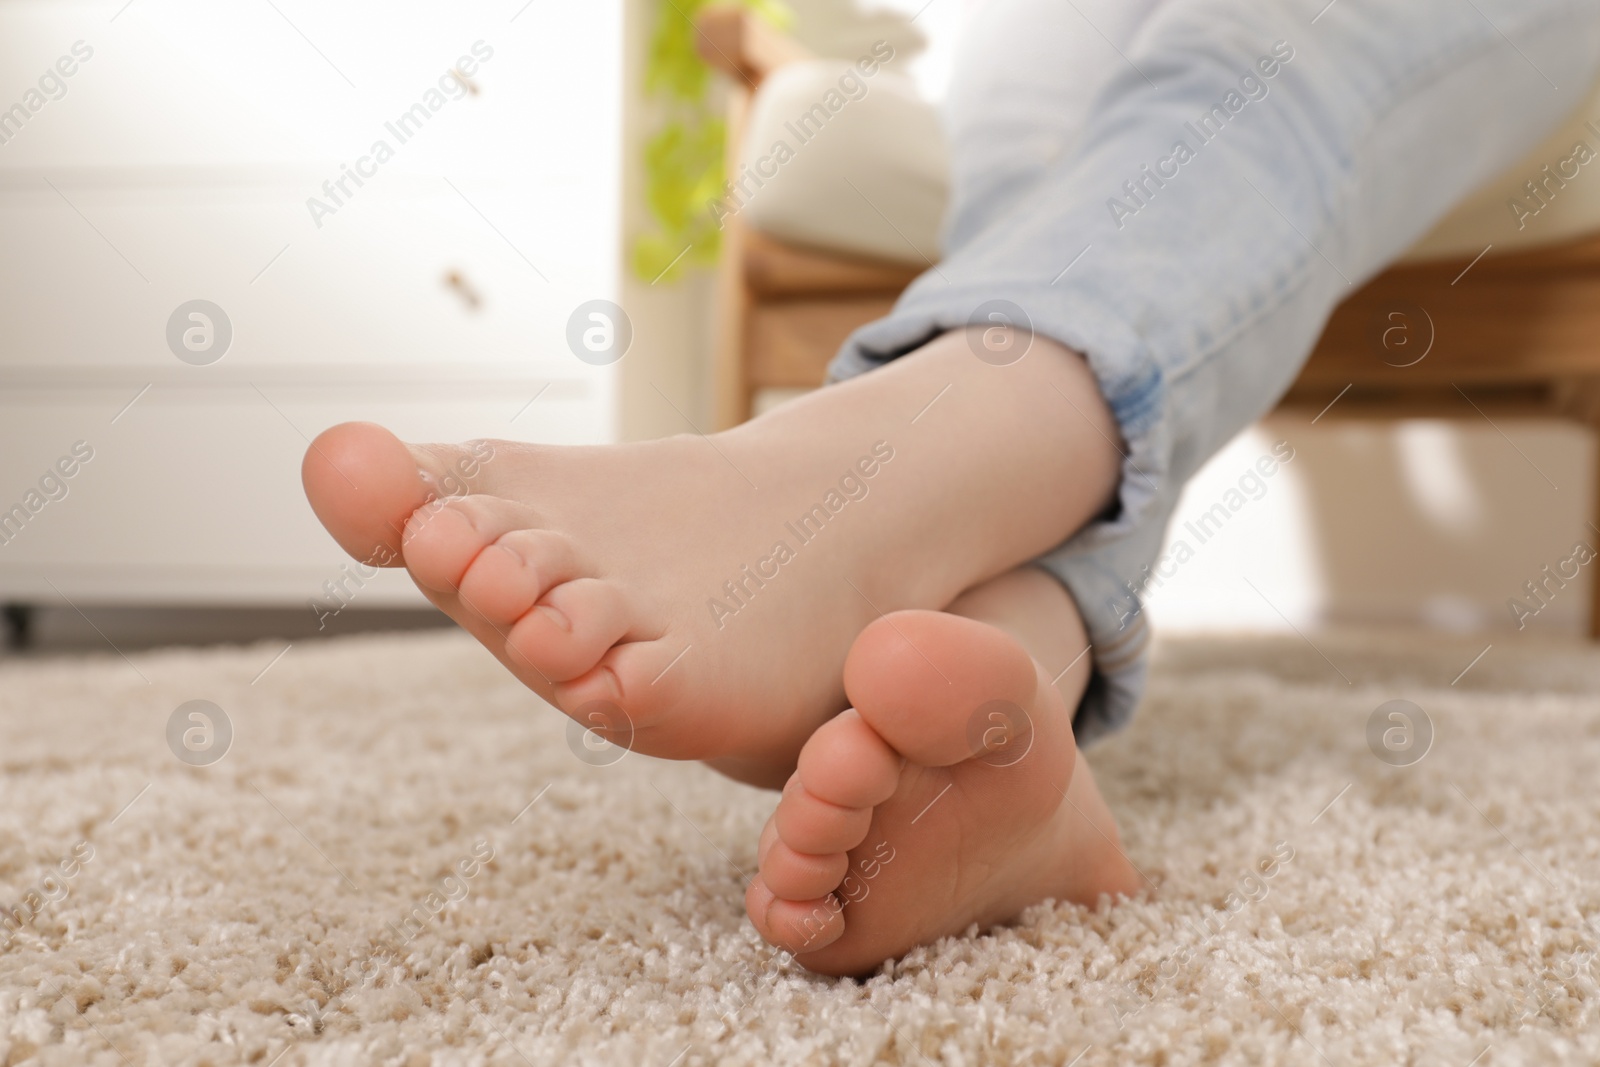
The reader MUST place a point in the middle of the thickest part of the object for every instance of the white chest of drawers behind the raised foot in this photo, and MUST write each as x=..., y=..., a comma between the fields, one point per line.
x=182, y=161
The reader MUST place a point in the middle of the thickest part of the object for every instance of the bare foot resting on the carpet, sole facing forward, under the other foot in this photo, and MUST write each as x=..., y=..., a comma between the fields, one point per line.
x=953, y=794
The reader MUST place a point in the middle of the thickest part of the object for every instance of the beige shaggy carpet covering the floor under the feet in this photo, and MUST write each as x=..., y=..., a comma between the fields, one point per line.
x=324, y=893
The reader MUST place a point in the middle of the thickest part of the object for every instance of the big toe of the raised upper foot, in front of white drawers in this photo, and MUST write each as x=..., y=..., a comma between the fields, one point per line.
x=364, y=484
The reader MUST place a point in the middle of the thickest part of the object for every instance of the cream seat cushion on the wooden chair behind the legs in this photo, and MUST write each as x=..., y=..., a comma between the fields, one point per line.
x=871, y=175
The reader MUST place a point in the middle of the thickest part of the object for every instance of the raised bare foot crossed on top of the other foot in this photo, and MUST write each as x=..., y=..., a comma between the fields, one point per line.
x=697, y=597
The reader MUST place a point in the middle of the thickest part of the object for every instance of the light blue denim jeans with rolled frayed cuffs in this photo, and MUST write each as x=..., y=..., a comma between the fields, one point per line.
x=1319, y=143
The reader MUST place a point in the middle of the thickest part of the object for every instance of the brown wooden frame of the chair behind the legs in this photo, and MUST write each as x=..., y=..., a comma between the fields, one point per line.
x=1510, y=335
